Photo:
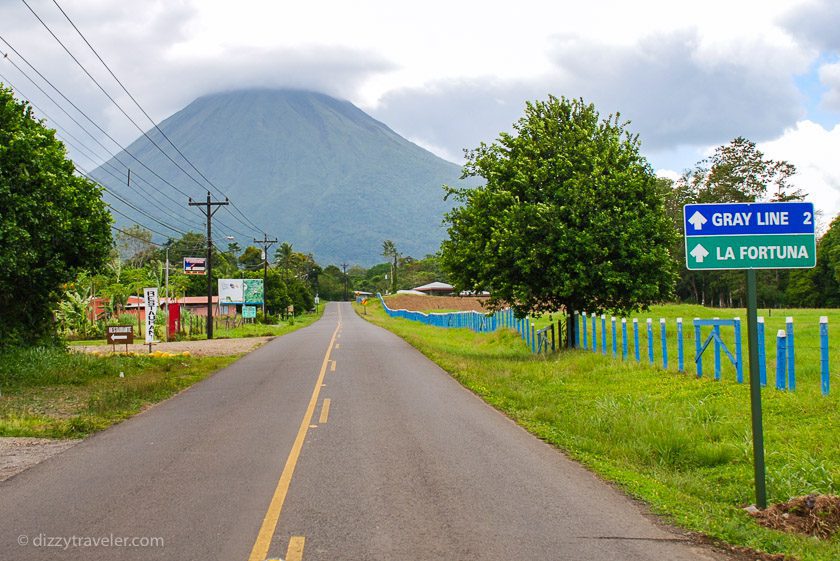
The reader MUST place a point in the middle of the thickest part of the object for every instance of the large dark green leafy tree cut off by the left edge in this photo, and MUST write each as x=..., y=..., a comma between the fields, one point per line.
x=53, y=224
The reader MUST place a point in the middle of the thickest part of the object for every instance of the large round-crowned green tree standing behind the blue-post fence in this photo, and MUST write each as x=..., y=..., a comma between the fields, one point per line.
x=570, y=217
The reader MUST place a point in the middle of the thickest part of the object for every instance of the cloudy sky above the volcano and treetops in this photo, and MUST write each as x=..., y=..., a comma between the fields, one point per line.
x=449, y=75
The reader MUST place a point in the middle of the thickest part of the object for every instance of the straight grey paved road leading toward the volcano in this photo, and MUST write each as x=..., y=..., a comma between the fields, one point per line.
x=336, y=442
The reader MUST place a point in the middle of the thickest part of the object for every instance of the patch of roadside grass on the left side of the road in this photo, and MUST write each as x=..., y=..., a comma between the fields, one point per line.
x=52, y=393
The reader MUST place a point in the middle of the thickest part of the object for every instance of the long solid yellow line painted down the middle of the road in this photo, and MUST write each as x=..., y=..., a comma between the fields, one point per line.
x=272, y=516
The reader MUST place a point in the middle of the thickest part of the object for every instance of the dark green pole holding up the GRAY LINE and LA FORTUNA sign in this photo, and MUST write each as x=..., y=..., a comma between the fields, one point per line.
x=755, y=392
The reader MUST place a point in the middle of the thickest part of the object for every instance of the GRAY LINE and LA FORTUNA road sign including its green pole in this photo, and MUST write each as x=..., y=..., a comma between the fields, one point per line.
x=751, y=236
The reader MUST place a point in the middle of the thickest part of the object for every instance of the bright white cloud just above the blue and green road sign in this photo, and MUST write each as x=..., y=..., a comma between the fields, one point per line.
x=813, y=150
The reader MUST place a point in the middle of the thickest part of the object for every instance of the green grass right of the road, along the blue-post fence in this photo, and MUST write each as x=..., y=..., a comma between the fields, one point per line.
x=681, y=444
